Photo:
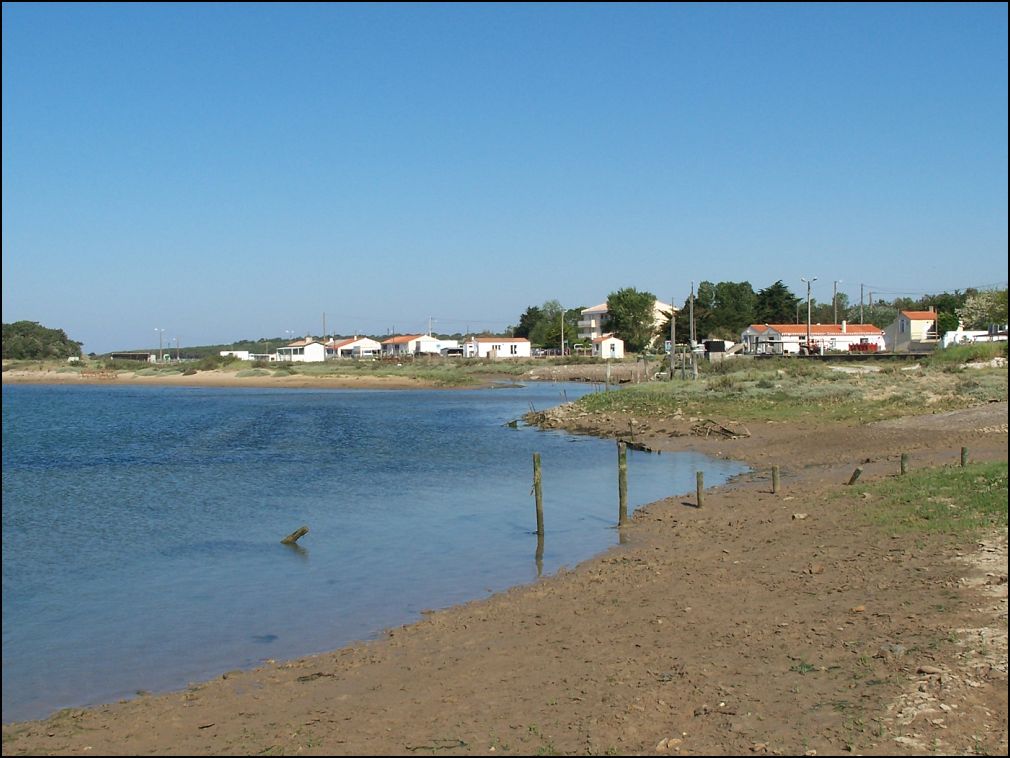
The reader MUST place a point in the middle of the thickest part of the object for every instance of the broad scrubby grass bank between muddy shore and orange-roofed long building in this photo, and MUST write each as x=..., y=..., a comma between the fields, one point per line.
x=797, y=390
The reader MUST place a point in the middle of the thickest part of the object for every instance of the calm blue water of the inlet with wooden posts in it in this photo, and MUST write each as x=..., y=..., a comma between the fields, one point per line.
x=142, y=525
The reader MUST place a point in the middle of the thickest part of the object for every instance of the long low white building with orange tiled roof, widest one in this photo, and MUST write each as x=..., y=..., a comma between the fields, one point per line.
x=788, y=339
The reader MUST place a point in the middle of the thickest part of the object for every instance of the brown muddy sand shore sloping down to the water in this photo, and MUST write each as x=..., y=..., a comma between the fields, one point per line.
x=760, y=624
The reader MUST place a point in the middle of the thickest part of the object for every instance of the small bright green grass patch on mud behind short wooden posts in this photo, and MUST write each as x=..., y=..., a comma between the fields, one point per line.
x=951, y=501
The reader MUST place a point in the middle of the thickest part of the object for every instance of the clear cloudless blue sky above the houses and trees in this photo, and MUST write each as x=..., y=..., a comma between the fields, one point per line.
x=228, y=171
